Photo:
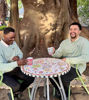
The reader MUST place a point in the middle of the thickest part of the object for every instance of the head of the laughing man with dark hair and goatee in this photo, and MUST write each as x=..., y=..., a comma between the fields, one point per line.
x=75, y=30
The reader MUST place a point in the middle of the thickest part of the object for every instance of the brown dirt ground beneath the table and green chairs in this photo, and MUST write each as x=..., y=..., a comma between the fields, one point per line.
x=77, y=94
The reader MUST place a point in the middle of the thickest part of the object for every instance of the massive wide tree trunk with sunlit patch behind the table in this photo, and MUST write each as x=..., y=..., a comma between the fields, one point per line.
x=45, y=23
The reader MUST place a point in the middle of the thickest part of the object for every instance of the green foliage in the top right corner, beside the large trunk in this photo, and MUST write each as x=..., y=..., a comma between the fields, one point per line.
x=83, y=10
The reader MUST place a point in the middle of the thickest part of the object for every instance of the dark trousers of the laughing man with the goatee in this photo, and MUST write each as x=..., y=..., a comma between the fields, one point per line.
x=66, y=79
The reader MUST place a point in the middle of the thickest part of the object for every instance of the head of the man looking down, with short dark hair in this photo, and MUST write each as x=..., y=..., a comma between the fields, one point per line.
x=9, y=35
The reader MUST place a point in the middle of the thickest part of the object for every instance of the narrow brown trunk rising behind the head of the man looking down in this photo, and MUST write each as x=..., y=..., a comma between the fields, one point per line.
x=14, y=18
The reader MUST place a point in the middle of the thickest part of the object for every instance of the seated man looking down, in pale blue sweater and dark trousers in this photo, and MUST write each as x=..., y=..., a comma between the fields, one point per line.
x=11, y=59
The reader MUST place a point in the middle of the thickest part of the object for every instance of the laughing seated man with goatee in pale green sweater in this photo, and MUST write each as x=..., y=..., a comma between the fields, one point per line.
x=74, y=50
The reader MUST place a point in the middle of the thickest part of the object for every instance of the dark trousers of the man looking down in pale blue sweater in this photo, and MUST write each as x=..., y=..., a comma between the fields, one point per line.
x=11, y=79
